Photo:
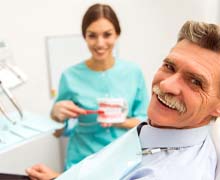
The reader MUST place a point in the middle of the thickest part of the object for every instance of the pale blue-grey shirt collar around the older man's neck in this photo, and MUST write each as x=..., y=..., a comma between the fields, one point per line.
x=152, y=137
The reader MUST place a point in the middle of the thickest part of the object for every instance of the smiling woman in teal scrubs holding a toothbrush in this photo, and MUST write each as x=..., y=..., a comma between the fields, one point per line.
x=100, y=76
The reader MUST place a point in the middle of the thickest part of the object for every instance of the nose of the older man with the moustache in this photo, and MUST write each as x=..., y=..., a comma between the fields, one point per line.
x=171, y=84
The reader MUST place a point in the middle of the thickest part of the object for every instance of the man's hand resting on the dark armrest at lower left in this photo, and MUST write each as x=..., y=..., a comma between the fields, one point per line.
x=41, y=172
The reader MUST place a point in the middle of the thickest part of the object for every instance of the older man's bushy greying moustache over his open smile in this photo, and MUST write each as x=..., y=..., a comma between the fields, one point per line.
x=168, y=100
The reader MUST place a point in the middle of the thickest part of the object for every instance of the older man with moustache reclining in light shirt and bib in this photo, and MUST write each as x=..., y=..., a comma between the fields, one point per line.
x=175, y=144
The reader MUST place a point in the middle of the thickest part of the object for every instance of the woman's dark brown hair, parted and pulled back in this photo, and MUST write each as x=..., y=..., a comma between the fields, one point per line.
x=98, y=11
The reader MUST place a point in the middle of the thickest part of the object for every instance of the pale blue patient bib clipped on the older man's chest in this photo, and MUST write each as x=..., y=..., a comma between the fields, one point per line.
x=111, y=163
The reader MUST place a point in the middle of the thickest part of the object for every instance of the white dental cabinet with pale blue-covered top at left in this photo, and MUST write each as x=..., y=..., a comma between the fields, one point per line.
x=40, y=147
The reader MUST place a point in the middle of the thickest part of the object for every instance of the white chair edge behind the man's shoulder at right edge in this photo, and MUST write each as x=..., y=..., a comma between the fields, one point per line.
x=215, y=132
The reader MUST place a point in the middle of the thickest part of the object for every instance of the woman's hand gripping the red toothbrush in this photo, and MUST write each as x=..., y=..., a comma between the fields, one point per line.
x=66, y=109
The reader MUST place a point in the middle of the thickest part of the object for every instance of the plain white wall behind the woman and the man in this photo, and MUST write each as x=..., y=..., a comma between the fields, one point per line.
x=149, y=29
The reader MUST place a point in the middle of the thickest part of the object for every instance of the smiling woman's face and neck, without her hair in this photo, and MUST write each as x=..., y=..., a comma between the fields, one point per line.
x=101, y=37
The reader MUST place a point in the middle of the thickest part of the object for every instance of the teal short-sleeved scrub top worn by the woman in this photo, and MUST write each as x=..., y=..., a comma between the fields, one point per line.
x=84, y=86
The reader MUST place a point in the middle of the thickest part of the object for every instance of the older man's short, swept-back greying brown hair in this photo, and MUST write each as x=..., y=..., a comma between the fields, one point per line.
x=203, y=34
